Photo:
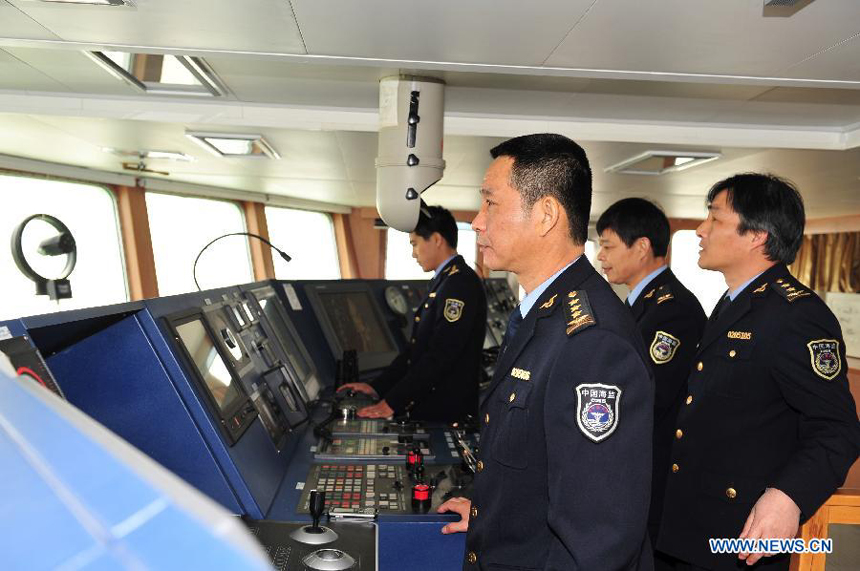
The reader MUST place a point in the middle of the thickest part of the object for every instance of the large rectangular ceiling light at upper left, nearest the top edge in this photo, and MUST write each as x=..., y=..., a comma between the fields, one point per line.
x=162, y=74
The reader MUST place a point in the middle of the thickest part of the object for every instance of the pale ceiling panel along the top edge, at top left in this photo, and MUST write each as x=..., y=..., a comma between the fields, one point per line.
x=256, y=25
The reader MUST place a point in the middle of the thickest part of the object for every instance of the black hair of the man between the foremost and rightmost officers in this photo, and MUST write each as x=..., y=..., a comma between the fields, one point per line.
x=634, y=218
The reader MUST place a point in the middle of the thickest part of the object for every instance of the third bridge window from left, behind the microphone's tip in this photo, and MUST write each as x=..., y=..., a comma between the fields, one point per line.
x=308, y=237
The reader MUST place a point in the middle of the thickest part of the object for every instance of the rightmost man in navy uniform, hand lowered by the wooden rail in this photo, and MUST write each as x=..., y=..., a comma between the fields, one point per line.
x=768, y=429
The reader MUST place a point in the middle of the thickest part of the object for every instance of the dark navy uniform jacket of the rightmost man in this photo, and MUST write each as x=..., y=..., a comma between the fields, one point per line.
x=768, y=405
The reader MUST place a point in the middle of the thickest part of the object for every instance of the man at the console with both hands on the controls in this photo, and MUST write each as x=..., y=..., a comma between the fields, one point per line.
x=436, y=377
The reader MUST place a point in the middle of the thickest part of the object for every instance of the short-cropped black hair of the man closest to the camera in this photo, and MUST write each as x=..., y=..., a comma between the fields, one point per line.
x=549, y=164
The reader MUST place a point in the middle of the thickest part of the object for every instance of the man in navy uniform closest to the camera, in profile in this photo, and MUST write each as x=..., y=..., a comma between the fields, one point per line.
x=564, y=467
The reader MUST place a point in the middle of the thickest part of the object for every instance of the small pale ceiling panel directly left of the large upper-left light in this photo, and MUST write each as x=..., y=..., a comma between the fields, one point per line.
x=74, y=70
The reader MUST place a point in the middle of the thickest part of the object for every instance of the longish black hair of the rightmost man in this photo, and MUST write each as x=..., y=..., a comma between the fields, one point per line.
x=766, y=203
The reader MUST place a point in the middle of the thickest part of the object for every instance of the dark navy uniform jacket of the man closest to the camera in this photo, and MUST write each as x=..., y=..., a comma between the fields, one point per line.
x=565, y=458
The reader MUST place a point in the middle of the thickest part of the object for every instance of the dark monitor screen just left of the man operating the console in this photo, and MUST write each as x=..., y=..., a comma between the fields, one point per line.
x=355, y=321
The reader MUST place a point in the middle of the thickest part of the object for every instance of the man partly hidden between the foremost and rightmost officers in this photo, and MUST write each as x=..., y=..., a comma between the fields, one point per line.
x=634, y=241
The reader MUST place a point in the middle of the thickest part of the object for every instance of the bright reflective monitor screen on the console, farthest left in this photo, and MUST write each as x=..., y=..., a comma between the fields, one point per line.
x=213, y=370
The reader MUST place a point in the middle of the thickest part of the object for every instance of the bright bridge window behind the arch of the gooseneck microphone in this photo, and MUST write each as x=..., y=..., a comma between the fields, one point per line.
x=181, y=226
